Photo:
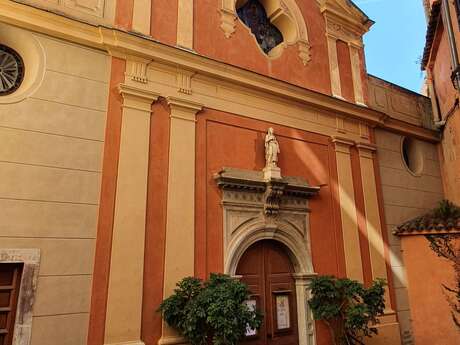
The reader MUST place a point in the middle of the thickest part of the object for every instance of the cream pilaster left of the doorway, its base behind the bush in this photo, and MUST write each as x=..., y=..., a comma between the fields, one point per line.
x=180, y=222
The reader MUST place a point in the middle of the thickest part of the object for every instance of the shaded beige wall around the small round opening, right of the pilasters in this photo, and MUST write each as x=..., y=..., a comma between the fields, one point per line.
x=405, y=196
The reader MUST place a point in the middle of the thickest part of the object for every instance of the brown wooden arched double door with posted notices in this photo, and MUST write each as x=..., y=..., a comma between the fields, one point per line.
x=267, y=270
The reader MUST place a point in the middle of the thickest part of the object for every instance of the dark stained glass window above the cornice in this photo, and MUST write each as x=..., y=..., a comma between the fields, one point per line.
x=254, y=16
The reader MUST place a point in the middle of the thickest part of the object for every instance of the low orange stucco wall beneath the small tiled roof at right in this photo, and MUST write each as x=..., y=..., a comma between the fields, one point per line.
x=431, y=319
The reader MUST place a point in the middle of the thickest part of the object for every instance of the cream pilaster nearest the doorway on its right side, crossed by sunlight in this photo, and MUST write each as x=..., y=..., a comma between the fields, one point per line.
x=350, y=229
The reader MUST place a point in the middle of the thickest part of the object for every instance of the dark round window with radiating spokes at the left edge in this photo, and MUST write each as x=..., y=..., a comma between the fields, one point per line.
x=11, y=70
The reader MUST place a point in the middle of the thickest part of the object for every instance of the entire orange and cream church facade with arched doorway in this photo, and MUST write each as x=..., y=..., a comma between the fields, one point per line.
x=147, y=141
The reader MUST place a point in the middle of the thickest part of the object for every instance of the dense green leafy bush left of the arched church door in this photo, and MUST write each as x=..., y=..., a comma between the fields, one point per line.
x=212, y=310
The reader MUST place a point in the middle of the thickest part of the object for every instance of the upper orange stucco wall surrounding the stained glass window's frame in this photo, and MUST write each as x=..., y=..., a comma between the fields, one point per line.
x=242, y=49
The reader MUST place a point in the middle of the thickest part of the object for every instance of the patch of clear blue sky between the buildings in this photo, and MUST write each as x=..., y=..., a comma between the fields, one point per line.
x=395, y=42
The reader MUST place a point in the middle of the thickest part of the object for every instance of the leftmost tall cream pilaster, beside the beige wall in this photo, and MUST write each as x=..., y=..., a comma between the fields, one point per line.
x=124, y=305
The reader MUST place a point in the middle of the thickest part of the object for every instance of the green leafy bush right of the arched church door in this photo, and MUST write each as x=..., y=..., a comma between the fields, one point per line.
x=348, y=308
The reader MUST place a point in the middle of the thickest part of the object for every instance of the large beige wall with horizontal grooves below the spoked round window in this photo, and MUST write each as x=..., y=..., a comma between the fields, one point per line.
x=50, y=171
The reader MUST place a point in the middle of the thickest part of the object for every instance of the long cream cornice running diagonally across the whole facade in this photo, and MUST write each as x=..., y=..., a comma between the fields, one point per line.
x=129, y=45
